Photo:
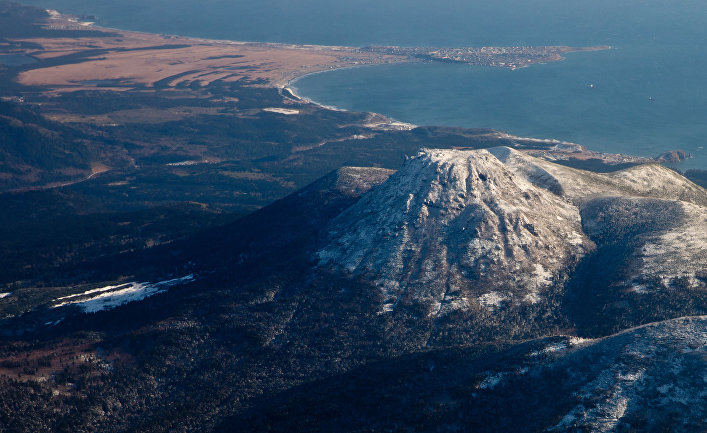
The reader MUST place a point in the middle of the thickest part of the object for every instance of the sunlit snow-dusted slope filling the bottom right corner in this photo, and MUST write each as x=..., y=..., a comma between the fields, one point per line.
x=655, y=365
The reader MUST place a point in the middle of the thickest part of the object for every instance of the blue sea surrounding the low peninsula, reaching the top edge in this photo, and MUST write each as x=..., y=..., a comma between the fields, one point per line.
x=649, y=92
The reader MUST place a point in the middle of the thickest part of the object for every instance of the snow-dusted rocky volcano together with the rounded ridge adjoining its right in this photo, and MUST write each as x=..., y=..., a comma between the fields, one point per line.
x=458, y=229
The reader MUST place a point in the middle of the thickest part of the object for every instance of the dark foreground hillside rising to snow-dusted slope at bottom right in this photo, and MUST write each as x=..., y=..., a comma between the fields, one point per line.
x=649, y=378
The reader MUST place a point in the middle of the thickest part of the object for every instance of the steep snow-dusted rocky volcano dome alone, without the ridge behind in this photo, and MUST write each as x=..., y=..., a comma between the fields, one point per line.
x=460, y=227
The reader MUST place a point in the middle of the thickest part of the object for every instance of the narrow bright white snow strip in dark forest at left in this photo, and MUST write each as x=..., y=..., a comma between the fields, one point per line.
x=110, y=297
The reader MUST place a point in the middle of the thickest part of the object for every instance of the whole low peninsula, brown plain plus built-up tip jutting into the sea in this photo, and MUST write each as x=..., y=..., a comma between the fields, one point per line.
x=112, y=59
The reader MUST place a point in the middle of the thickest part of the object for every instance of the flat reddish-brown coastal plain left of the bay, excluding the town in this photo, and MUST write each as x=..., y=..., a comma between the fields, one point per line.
x=122, y=60
